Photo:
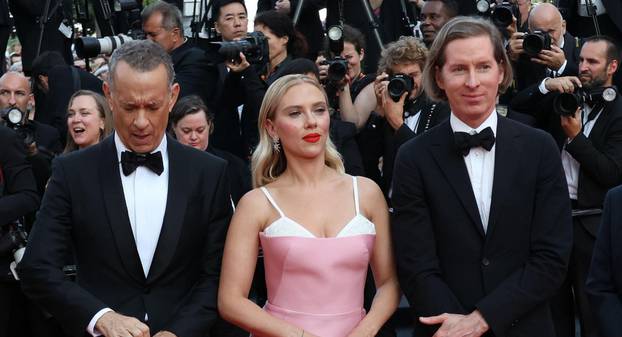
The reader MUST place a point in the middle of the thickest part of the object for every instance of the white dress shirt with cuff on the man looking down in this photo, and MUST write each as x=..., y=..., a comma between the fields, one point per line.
x=145, y=197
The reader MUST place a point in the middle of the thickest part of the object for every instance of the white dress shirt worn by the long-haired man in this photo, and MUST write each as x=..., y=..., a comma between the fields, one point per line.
x=480, y=165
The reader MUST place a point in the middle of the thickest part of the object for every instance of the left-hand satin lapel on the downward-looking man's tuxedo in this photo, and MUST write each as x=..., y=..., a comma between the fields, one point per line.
x=116, y=210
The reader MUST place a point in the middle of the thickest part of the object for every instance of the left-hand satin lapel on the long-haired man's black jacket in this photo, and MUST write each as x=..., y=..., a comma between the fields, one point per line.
x=451, y=163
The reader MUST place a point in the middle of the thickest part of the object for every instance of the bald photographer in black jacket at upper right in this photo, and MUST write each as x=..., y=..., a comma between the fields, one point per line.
x=561, y=60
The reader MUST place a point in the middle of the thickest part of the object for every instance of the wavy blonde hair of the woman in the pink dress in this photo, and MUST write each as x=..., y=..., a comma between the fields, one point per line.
x=268, y=164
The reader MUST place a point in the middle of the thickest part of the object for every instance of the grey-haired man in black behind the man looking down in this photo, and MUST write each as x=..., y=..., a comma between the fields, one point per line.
x=162, y=23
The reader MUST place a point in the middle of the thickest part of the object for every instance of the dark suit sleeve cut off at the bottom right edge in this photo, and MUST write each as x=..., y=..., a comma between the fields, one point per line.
x=604, y=282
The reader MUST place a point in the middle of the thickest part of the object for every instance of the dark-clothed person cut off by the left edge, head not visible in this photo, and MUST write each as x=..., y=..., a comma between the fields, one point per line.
x=18, y=197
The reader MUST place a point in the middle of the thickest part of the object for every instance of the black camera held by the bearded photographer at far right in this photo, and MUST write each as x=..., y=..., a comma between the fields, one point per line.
x=566, y=104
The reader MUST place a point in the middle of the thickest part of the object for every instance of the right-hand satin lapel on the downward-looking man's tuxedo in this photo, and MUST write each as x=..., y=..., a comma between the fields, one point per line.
x=176, y=201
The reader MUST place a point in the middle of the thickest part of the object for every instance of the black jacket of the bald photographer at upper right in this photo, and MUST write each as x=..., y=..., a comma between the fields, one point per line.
x=528, y=73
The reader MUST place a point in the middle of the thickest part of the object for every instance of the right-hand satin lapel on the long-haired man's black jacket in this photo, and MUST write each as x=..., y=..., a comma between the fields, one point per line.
x=507, y=158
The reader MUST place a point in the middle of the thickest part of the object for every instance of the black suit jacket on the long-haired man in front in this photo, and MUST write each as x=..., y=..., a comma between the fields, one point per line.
x=445, y=260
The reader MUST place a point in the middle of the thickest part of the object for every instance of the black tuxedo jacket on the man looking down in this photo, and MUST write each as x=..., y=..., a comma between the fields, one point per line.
x=88, y=211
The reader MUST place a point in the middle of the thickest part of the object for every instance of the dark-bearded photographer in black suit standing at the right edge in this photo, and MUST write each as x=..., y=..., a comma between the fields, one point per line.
x=589, y=132
